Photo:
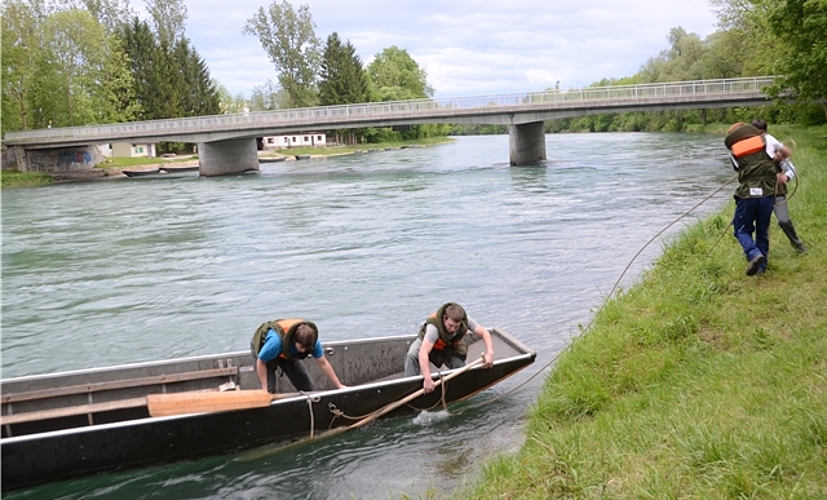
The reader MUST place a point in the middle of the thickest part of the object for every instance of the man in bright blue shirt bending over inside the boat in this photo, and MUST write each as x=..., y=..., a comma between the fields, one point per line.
x=282, y=344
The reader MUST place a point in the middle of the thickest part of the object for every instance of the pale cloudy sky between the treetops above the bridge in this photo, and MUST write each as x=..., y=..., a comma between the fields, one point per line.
x=466, y=47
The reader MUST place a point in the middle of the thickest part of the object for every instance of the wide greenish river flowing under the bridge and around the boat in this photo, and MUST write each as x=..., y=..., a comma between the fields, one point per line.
x=108, y=272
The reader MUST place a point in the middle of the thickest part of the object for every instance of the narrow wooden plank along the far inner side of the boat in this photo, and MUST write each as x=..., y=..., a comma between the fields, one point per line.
x=71, y=390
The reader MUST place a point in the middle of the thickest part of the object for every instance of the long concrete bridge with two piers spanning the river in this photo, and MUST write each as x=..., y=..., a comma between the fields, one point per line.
x=227, y=143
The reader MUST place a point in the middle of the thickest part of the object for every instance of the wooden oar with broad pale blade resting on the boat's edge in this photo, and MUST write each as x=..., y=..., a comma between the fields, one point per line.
x=181, y=403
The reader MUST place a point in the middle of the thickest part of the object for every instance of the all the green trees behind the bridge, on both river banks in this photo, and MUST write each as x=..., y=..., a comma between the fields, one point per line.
x=79, y=62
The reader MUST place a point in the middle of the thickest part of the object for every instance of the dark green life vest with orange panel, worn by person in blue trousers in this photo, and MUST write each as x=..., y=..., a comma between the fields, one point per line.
x=756, y=170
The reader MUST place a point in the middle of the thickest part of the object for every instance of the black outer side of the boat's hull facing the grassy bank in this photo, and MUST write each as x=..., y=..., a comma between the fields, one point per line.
x=59, y=454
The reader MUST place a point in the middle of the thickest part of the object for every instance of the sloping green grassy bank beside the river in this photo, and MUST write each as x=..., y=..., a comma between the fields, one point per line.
x=698, y=382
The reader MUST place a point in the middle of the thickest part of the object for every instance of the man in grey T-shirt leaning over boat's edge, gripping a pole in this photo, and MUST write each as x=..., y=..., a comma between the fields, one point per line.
x=442, y=341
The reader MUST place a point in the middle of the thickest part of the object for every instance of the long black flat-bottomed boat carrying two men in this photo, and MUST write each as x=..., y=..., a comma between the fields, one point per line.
x=64, y=425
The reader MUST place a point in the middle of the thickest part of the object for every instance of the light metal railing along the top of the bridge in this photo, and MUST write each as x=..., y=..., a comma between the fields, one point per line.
x=310, y=117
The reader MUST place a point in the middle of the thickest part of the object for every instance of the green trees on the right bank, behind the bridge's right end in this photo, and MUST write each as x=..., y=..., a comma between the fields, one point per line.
x=754, y=38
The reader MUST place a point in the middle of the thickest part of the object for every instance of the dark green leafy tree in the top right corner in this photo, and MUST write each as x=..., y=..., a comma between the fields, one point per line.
x=802, y=24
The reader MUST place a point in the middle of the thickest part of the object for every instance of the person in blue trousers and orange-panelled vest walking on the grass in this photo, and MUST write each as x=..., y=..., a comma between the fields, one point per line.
x=755, y=195
